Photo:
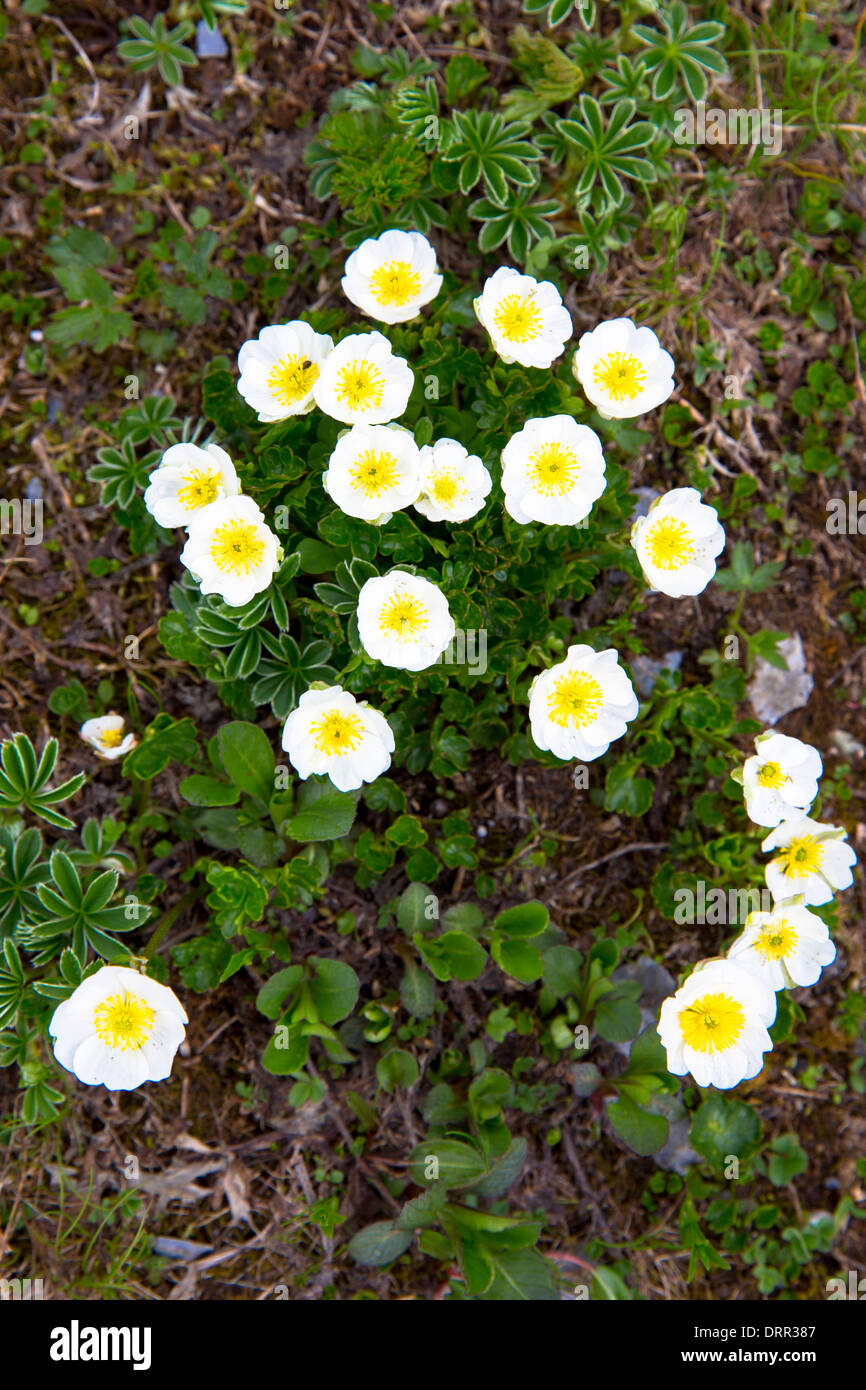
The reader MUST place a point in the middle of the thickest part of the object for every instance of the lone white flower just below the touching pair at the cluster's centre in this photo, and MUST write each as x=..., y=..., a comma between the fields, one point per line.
x=404, y=621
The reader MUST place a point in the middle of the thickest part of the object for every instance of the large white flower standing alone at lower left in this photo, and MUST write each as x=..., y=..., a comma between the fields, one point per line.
x=119, y=1029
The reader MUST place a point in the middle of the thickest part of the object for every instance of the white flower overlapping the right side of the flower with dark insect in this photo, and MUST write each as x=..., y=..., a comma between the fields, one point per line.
x=363, y=383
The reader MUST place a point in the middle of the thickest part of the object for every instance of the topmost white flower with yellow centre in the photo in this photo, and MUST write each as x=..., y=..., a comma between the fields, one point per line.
x=391, y=277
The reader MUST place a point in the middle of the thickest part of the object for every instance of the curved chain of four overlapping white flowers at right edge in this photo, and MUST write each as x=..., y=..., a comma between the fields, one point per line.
x=717, y=1025
